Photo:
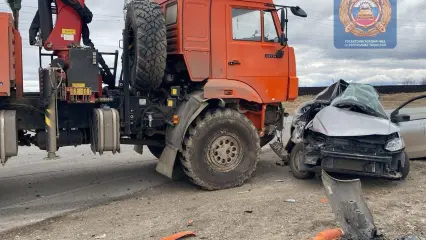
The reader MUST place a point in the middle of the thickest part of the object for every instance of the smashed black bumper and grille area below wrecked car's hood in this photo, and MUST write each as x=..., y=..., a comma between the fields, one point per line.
x=361, y=155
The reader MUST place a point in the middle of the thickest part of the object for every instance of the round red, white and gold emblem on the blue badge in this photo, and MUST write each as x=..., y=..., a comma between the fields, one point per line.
x=366, y=18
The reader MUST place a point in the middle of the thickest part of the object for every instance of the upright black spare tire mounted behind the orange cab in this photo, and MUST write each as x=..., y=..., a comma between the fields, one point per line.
x=147, y=44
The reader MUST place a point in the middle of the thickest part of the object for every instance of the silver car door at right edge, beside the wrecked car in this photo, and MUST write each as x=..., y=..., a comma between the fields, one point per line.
x=413, y=129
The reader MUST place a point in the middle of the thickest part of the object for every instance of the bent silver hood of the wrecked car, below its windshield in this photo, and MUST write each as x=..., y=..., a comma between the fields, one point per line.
x=334, y=122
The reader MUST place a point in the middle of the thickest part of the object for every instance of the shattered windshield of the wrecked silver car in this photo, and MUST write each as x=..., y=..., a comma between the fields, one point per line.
x=362, y=98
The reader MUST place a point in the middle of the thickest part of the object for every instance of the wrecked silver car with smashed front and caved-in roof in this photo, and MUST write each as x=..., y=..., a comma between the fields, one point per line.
x=345, y=129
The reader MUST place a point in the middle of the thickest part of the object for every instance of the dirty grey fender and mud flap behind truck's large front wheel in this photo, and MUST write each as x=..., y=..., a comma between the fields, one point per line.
x=187, y=113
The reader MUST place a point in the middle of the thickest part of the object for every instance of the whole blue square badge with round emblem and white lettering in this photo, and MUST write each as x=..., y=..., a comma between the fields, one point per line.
x=365, y=24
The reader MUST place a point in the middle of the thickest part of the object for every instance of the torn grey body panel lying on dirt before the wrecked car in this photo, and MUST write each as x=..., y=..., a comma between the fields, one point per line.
x=349, y=207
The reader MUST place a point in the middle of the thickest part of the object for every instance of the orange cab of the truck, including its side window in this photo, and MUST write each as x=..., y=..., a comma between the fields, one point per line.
x=205, y=33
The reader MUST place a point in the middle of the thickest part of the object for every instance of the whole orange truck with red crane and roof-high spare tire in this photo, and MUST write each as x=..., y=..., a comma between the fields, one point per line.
x=202, y=84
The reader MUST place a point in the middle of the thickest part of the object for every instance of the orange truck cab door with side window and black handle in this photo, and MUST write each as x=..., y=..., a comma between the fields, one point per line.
x=252, y=42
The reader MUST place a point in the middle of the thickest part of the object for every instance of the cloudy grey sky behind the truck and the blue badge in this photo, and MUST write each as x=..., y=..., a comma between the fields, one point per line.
x=319, y=63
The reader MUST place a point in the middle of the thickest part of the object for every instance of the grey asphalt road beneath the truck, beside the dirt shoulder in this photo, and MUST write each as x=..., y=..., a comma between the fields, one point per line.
x=33, y=189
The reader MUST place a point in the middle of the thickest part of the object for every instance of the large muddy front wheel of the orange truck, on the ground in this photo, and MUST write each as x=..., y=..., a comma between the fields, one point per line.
x=221, y=151
